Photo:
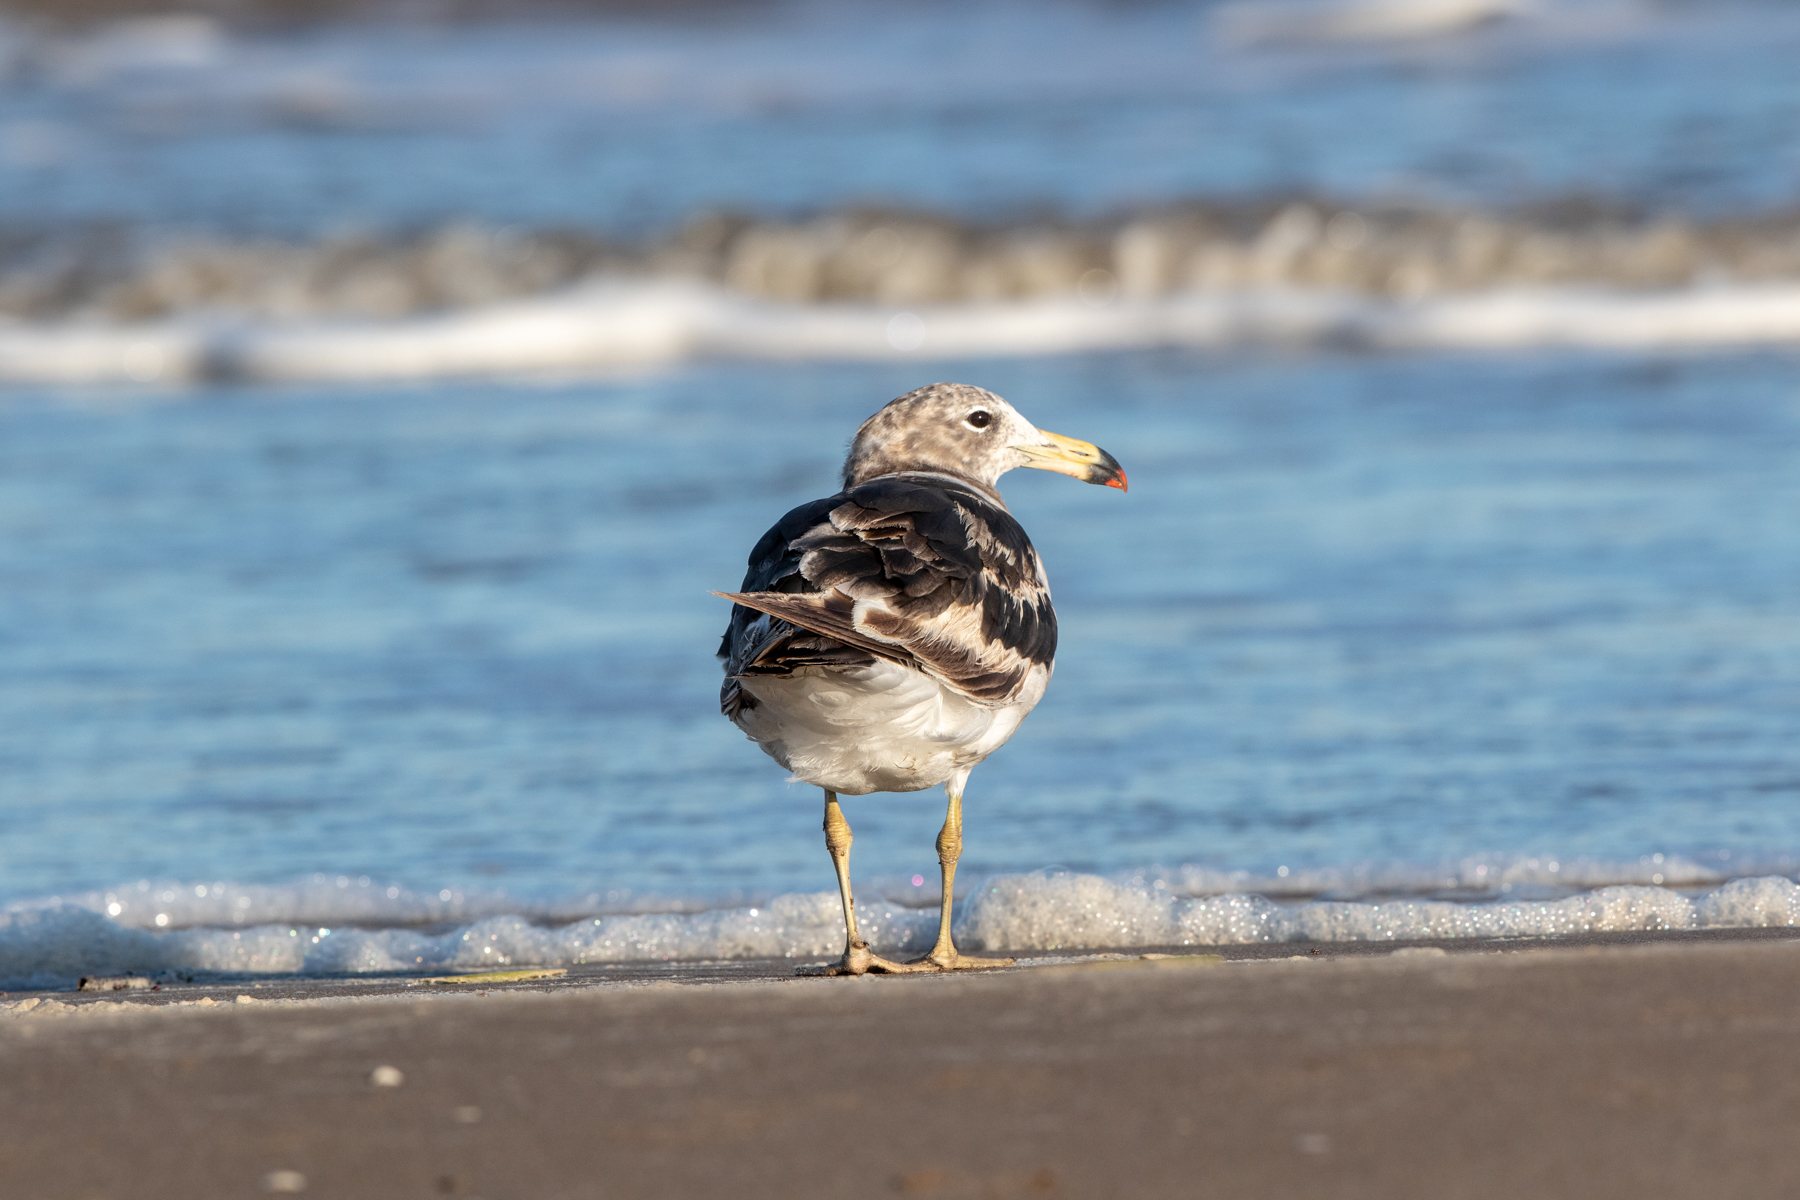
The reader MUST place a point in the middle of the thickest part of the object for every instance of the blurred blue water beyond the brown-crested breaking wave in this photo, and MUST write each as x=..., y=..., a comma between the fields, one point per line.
x=984, y=111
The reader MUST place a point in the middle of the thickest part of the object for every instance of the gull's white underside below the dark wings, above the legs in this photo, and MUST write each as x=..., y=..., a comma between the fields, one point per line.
x=877, y=730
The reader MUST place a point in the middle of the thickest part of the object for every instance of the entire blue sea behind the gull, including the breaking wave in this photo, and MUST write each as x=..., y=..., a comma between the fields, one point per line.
x=1475, y=587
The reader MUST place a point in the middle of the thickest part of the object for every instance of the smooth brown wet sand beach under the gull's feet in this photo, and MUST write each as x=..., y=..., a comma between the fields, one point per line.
x=1630, y=1068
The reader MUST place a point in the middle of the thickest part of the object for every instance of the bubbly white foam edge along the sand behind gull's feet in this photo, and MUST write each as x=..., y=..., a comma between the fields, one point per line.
x=336, y=927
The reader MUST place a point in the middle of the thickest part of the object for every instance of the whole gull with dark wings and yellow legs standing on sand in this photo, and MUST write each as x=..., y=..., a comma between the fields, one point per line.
x=894, y=636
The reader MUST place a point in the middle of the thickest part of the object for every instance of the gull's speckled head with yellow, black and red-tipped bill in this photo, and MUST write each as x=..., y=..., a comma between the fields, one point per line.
x=967, y=433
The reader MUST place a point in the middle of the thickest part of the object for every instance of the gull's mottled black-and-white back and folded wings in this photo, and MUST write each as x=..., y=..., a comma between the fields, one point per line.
x=906, y=568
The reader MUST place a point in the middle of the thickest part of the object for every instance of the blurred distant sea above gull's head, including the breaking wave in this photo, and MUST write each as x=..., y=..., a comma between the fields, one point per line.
x=184, y=202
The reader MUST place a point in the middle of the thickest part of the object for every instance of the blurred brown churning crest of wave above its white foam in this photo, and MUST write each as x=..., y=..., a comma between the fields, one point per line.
x=906, y=260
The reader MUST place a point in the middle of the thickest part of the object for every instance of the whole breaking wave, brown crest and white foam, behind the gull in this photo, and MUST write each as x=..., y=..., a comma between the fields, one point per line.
x=865, y=285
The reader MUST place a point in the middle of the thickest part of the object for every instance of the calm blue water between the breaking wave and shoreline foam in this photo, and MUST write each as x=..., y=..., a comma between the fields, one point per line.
x=1353, y=609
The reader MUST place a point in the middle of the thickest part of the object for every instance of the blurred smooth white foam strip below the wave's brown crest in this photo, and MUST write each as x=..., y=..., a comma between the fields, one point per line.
x=634, y=327
